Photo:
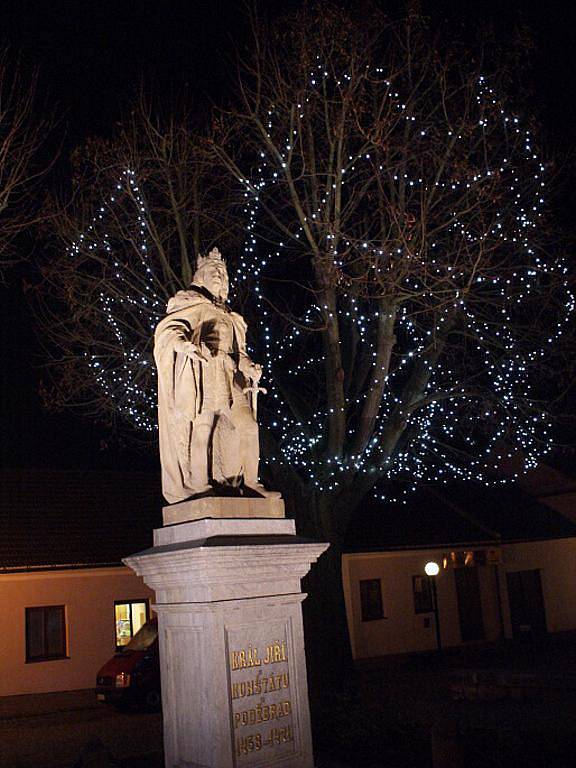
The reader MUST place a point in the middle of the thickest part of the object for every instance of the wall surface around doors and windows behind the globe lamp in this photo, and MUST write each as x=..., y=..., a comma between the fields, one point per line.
x=404, y=631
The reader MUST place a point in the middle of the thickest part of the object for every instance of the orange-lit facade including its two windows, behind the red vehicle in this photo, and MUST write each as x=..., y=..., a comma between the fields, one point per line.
x=61, y=625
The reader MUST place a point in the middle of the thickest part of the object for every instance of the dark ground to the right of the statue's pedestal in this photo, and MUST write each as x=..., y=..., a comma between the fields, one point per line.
x=513, y=706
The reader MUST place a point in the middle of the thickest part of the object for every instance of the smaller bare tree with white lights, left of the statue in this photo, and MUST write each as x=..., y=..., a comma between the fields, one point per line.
x=142, y=206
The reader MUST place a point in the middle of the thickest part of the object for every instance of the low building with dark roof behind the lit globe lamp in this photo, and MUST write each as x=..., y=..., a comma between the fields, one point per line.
x=507, y=570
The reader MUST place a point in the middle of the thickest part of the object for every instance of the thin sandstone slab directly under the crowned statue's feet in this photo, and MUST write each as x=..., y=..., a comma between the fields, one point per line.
x=222, y=507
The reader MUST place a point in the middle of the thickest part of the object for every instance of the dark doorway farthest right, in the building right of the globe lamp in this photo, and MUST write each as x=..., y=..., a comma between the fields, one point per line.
x=527, y=612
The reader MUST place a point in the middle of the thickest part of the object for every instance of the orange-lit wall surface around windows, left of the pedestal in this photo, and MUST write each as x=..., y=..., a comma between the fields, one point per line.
x=89, y=596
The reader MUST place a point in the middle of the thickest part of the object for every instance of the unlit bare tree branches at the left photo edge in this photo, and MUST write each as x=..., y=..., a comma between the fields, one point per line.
x=23, y=131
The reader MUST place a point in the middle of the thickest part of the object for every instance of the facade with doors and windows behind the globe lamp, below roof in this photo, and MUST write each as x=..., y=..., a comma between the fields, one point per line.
x=517, y=590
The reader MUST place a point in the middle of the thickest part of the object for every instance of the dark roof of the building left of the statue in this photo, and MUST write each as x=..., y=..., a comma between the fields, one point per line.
x=75, y=518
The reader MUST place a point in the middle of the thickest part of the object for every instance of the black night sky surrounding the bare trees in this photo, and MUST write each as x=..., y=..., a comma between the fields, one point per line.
x=92, y=54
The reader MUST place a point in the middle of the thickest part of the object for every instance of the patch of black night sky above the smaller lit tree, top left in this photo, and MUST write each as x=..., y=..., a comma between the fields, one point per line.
x=92, y=54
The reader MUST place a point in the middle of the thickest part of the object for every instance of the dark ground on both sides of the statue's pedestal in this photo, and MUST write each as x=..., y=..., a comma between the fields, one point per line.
x=512, y=706
